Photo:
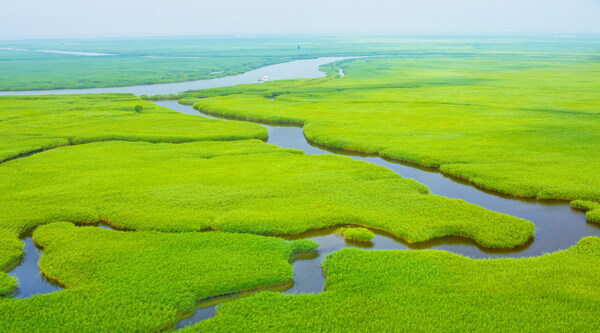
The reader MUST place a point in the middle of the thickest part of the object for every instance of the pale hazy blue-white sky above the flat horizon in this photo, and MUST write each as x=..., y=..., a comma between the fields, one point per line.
x=92, y=18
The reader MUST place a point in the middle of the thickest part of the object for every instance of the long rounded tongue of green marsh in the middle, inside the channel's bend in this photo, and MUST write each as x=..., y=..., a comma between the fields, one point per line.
x=239, y=186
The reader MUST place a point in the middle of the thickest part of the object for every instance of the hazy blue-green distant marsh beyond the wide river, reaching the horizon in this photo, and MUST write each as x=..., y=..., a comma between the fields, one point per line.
x=162, y=60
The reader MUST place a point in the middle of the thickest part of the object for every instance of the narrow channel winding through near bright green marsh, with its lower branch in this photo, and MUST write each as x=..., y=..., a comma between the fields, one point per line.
x=558, y=226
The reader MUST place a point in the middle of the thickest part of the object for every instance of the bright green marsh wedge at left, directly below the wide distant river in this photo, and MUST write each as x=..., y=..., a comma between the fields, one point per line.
x=40, y=122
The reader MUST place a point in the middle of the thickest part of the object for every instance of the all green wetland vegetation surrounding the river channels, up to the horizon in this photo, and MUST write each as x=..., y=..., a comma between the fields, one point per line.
x=205, y=207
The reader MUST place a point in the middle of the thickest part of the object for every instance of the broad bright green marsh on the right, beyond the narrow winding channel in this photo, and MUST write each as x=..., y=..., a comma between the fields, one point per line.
x=524, y=126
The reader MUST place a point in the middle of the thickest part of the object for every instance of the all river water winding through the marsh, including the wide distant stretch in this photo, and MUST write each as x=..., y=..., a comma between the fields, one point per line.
x=558, y=225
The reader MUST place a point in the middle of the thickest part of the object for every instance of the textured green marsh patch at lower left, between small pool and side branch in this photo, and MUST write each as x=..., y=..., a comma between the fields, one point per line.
x=142, y=281
